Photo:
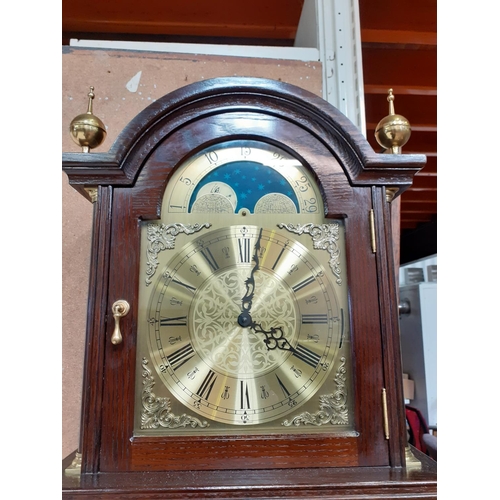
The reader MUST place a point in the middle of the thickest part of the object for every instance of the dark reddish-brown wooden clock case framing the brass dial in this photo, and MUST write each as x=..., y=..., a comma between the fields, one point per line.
x=130, y=180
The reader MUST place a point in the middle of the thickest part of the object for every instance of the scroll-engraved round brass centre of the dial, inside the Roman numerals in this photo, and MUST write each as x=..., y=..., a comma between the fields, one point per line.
x=220, y=330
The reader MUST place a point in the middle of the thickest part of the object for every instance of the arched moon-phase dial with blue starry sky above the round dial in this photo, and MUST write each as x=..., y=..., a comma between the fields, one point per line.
x=233, y=176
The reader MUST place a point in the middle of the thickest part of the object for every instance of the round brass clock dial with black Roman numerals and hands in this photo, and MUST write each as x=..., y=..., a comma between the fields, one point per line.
x=243, y=325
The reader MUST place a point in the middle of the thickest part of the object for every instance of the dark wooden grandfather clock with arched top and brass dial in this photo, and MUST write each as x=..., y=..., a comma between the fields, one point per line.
x=242, y=333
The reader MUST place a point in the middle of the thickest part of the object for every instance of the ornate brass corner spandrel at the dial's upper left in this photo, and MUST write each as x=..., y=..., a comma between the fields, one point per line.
x=162, y=237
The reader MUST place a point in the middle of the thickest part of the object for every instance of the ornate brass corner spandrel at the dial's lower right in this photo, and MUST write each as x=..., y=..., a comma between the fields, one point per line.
x=332, y=408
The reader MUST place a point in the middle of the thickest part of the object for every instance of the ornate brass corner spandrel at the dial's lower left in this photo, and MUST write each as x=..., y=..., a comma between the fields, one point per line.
x=157, y=412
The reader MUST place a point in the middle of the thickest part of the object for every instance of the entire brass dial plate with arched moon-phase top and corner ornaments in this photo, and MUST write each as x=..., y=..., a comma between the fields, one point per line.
x=243, y=310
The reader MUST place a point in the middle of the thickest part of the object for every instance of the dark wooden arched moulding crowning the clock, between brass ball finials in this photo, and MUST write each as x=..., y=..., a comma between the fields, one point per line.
x=121, y=165
